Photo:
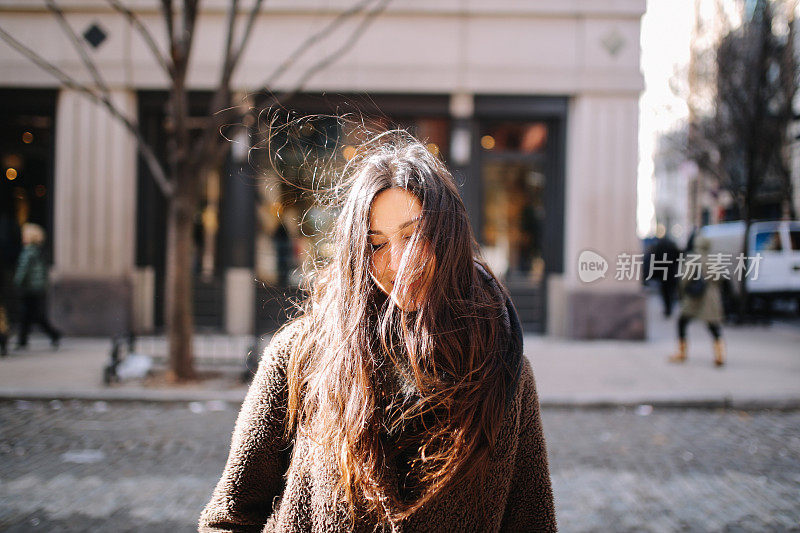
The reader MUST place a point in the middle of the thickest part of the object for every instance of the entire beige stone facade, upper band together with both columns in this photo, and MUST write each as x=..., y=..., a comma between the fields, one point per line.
x=587, y=50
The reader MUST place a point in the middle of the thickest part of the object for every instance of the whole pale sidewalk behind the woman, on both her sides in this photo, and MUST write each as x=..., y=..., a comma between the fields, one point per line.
x=763, y=370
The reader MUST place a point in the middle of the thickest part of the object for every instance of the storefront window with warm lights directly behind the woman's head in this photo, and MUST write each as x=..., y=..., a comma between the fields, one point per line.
x=306, y=156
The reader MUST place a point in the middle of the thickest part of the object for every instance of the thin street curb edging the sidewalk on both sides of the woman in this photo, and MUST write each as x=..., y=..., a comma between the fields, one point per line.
x=564, y=402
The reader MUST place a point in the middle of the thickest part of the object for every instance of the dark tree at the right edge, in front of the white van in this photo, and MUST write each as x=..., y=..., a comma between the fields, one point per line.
x=742, y=139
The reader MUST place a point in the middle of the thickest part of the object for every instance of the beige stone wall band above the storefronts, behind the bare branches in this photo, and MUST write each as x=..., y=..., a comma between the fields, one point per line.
x=503, y=46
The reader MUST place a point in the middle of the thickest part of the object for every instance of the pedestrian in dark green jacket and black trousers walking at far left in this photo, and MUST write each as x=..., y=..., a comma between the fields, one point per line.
x=31, y=277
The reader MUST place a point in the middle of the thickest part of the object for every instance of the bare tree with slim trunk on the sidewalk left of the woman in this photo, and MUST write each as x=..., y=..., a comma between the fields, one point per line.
x=190, y=156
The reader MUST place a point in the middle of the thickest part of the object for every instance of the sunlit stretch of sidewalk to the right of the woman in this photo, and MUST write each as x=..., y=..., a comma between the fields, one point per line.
x=762, y=368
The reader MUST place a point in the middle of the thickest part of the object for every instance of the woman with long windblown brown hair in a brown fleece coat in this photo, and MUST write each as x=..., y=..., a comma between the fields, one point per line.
x=400, y=399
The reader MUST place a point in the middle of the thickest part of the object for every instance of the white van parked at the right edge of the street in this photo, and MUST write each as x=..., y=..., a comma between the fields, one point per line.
x=778, y=244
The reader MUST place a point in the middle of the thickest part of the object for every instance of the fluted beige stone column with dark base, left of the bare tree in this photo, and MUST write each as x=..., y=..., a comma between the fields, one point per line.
x=95, y=209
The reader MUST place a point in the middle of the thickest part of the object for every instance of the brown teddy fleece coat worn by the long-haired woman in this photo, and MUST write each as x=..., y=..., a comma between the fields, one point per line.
x=273, y=484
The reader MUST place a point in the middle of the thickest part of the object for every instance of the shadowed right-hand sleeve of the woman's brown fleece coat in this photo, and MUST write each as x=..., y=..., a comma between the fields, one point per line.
x=530, y=502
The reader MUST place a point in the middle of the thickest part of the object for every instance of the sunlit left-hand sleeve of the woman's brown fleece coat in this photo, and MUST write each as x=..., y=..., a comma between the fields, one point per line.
x=259, y=456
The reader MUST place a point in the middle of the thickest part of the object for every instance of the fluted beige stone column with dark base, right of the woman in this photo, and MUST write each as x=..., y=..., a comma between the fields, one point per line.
x=601, y=217
